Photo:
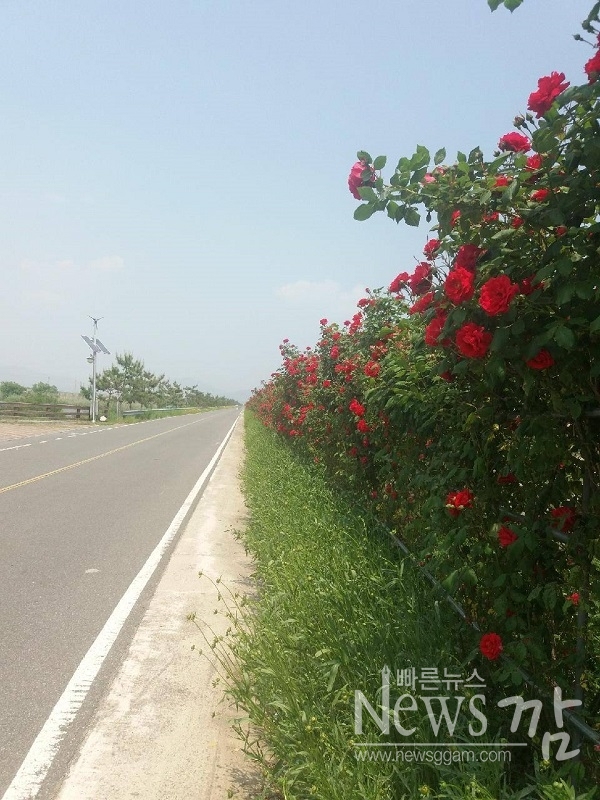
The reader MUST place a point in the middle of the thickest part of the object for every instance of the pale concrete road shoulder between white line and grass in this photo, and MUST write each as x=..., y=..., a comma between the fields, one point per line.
x=163, y=730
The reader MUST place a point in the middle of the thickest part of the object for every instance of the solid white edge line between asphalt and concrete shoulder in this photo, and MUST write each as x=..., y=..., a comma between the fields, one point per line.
x=32, y=772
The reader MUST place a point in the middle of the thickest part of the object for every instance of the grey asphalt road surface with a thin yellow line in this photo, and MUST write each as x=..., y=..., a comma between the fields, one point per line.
x=79, y=515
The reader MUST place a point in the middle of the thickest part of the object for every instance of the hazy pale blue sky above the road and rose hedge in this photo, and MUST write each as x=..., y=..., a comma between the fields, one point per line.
x=179, y=167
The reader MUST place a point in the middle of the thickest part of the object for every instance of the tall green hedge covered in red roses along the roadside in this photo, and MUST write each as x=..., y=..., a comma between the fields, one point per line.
x=461, y=401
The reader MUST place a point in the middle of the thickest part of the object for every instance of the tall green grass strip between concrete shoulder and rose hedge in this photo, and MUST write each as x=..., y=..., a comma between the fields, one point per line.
x=334, y=604
